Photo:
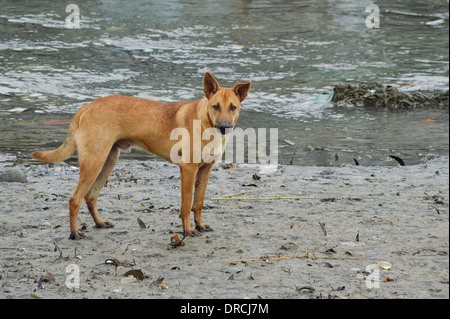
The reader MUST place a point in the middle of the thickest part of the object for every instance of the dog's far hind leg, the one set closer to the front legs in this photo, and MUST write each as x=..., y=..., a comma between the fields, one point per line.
x=92, y=195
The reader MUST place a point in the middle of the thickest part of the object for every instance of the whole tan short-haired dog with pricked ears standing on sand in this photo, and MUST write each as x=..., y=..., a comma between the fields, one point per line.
x=101, y=129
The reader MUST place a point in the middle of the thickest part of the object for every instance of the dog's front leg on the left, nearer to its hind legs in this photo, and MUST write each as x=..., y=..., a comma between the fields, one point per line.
x=188, y=175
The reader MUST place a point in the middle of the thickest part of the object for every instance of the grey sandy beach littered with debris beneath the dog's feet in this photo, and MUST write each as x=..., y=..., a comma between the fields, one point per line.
x=322, y=233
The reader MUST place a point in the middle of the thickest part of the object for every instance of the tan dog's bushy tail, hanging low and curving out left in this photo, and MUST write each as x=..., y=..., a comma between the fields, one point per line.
x=66, y=149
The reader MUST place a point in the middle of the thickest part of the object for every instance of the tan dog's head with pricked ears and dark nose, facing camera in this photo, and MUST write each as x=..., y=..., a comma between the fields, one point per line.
x=224, y=104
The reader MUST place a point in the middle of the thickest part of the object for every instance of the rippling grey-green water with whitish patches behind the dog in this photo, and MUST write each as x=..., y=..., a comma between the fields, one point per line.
x=291, y=50
